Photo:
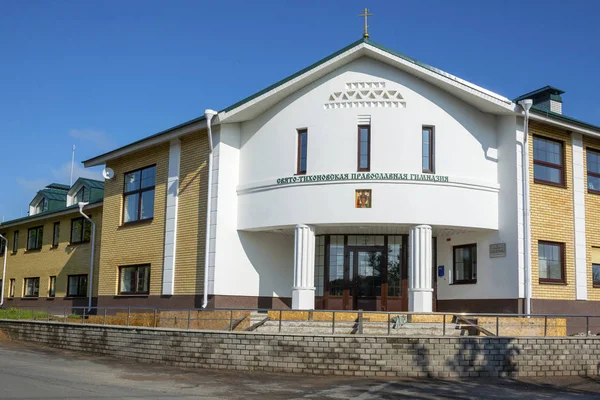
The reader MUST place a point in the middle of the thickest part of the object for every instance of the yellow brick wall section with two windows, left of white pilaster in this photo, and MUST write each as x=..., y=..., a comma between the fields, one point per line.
x=138, y=242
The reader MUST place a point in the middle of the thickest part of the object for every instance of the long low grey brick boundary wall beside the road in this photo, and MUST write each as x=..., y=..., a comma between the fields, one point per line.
x=441, y=357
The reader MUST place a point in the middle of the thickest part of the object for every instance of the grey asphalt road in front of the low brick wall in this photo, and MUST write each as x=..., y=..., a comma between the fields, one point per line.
x=34, y=372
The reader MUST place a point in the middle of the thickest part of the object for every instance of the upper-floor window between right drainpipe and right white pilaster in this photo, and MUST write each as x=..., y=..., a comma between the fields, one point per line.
x=548, y=163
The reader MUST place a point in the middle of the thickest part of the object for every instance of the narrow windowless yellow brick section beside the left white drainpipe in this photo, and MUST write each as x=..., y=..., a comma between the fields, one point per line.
x=191, y=219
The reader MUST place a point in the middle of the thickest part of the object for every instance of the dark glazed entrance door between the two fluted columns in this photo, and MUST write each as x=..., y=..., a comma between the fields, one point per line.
x=365, y=271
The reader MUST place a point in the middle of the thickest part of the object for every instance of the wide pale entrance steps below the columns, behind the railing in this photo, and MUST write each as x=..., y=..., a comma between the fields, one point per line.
x=261, y=324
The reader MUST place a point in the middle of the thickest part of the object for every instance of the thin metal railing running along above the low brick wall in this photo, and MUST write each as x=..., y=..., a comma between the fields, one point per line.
x=326, y=322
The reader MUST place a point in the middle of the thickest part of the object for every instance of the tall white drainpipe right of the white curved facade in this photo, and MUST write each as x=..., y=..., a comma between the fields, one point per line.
x=526, y=104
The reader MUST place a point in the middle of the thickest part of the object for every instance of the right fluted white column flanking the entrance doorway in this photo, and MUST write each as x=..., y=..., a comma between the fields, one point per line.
x=420, y=289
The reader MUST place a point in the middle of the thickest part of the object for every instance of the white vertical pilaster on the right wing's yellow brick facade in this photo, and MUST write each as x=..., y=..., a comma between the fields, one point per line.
x=579, y=217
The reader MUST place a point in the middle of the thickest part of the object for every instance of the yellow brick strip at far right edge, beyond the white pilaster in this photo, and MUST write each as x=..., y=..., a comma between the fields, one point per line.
x=592, y=220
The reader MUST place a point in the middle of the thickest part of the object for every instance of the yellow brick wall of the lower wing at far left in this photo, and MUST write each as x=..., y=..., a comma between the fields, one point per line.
x=61, y=261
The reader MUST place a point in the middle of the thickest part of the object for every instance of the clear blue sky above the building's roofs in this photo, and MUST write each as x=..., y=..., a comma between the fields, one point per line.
x=102, y=74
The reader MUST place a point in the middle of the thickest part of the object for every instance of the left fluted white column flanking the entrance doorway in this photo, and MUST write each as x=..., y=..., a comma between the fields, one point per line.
x=303, y=292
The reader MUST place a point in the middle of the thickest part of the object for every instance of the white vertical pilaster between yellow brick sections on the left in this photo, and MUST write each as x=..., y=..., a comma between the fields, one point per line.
x=171, y=218
